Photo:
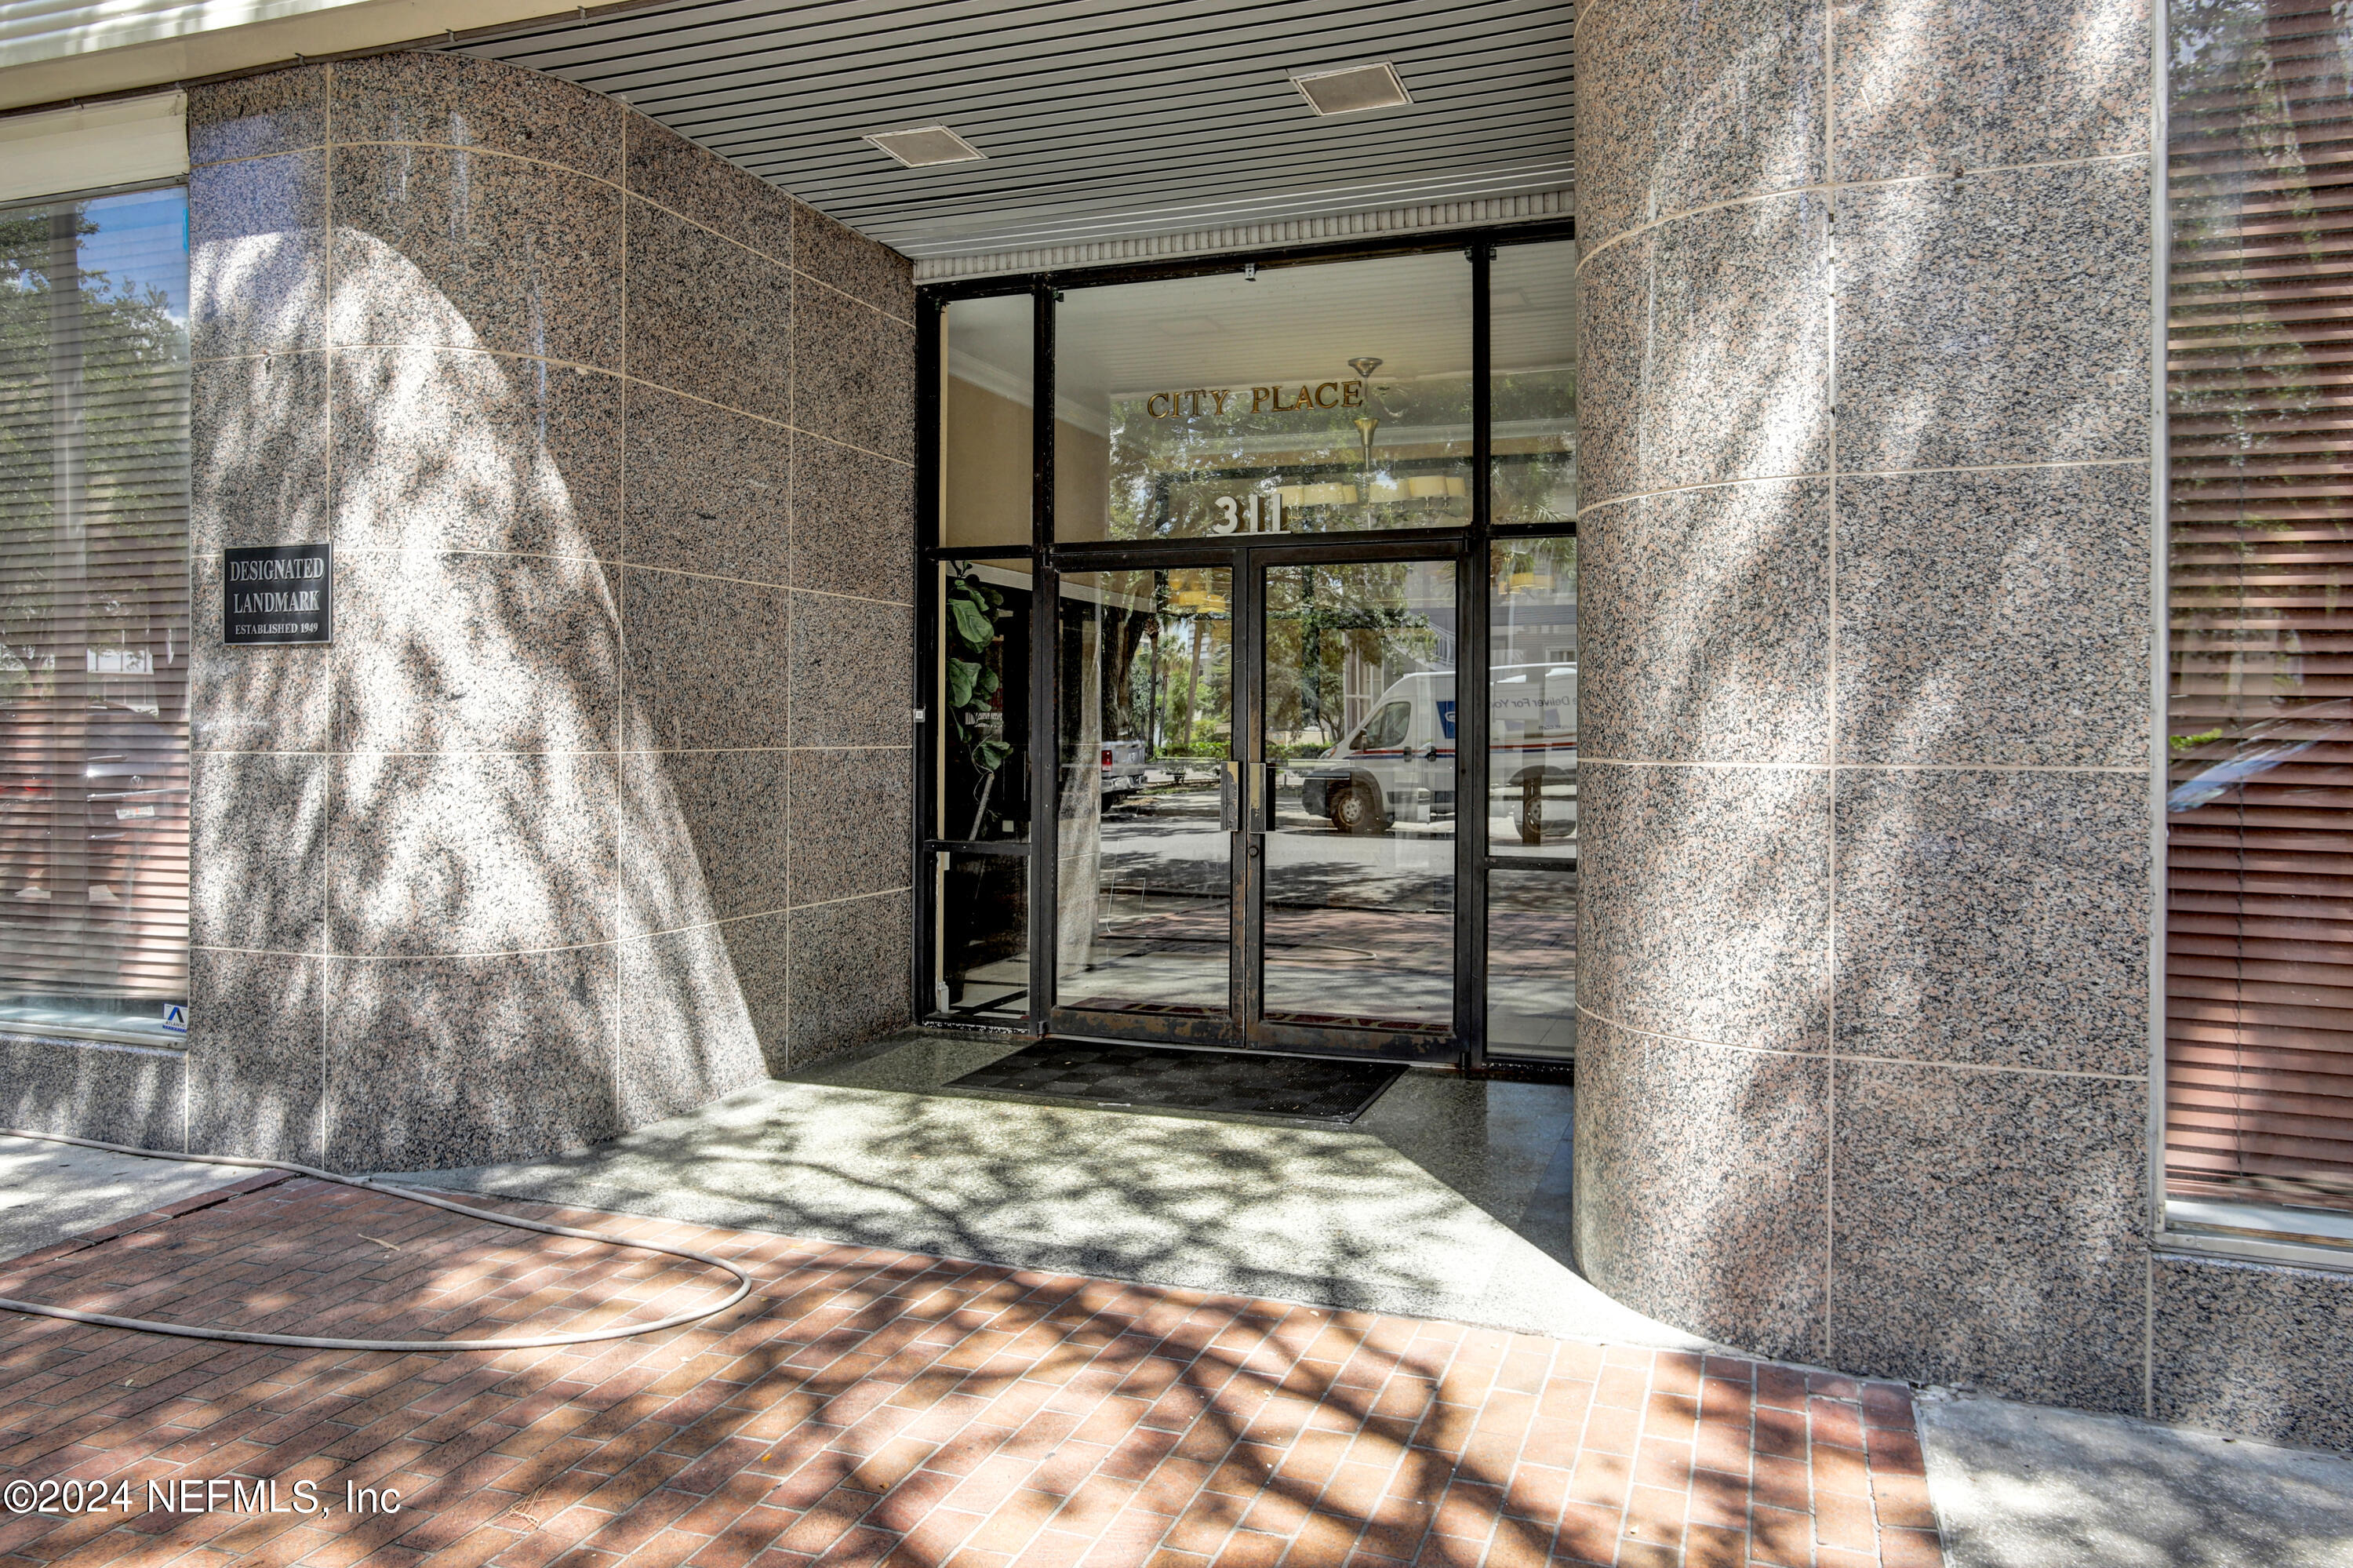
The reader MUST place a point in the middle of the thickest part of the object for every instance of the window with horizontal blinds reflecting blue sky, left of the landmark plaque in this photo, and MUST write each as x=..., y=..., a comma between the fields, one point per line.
x=95, y=613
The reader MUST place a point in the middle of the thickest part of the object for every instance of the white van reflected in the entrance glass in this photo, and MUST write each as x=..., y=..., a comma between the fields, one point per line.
x=1399, y=766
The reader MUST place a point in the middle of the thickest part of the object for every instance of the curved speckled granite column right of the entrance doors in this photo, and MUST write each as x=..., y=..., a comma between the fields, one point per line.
x=1865, y=529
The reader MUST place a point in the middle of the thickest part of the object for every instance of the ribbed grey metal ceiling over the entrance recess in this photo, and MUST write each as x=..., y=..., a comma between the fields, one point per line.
x=1100, y=121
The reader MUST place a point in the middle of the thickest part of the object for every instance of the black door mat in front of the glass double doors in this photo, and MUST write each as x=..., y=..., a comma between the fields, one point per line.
x=1154, y=1079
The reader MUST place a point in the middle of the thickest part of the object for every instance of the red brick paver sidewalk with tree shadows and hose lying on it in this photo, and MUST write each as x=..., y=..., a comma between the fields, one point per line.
x=879, y=1407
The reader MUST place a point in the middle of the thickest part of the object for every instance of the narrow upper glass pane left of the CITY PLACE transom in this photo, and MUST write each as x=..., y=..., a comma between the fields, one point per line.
x=987, y=397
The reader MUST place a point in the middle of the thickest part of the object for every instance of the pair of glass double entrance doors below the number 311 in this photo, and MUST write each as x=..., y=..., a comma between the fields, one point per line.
x=1258, y=778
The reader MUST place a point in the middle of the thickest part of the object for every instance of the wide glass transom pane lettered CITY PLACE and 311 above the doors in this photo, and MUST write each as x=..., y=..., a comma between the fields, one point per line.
x=1288, y=401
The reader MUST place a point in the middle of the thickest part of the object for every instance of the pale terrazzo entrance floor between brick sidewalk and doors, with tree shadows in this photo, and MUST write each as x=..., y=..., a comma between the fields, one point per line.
x=1448, y=1200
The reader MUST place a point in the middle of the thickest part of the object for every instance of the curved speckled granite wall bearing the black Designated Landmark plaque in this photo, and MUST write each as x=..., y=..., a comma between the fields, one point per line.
x=599, y=804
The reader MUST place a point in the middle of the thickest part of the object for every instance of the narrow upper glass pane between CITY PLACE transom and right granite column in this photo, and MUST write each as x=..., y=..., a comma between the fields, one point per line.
x=1533, y=383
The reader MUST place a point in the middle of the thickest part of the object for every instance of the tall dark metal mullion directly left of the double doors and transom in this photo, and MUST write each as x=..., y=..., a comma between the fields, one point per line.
x=1046, y=658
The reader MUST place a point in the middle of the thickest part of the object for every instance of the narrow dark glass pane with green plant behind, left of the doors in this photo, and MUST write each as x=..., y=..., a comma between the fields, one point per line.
x=982, y=766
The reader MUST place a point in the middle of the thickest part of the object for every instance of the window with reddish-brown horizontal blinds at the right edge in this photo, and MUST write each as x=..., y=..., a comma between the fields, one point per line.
x=2260, y=726
